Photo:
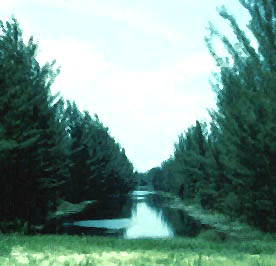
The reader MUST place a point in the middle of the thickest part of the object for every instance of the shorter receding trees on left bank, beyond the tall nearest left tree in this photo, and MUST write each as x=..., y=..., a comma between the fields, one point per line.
x=98, y=165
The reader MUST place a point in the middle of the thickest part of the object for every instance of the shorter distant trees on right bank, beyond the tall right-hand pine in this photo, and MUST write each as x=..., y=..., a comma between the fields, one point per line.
x=185, y=173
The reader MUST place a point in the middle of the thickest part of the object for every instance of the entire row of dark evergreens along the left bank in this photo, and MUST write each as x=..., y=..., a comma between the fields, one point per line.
x=49, y=149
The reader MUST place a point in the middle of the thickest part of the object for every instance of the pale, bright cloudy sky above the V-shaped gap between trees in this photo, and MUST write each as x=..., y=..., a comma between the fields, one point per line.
x=141, y=66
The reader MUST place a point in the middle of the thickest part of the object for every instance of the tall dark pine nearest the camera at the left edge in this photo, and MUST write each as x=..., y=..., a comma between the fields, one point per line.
x=28, y=127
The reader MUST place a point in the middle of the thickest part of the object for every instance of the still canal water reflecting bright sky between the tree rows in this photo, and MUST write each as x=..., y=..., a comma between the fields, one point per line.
x=141, y=214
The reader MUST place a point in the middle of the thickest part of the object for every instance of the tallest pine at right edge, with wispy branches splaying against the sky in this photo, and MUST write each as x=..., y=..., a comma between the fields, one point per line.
x=246, y=113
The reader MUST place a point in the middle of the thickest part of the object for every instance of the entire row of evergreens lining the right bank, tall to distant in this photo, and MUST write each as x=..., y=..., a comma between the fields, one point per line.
x=230, y=164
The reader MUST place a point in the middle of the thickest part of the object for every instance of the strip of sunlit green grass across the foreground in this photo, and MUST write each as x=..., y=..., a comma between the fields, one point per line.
x=205, y=250
